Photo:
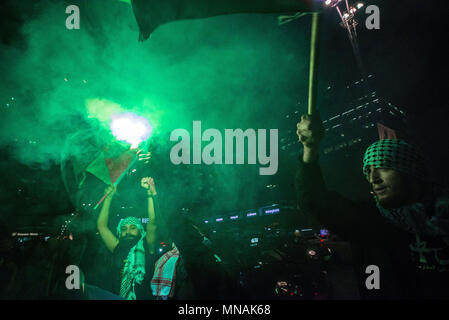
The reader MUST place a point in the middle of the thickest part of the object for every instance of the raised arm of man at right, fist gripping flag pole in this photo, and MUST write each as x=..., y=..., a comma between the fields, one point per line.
x=349, y=219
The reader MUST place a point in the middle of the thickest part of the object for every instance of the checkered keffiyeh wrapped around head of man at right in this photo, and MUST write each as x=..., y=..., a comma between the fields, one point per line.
x=395, y=154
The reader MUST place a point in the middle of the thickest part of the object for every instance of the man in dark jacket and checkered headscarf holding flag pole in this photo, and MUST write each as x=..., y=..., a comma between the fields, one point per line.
x=404, y=231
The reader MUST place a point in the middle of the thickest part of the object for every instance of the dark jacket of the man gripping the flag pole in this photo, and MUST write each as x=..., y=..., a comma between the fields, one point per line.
x=375, y=240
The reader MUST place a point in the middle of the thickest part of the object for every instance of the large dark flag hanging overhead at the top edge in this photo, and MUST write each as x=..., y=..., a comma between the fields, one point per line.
x=152, y=13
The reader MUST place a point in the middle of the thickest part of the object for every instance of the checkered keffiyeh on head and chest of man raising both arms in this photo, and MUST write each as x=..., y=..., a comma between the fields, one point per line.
x=134, y=270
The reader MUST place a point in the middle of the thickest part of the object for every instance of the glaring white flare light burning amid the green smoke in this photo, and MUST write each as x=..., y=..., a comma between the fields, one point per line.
x=131, y=128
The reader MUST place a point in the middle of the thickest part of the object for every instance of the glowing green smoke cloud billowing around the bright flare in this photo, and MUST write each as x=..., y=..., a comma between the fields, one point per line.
x=236, y=71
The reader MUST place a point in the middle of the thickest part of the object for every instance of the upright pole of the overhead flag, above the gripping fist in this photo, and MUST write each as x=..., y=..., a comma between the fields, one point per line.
x=313, y=70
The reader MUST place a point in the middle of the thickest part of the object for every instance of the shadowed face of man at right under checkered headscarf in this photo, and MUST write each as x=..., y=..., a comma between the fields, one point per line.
x=389, y=186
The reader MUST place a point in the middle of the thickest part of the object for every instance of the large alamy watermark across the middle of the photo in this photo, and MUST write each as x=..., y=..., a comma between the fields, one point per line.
x=212, y=153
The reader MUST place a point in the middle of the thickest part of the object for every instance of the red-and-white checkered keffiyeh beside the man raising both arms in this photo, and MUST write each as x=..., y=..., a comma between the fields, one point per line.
x=163, y=281
